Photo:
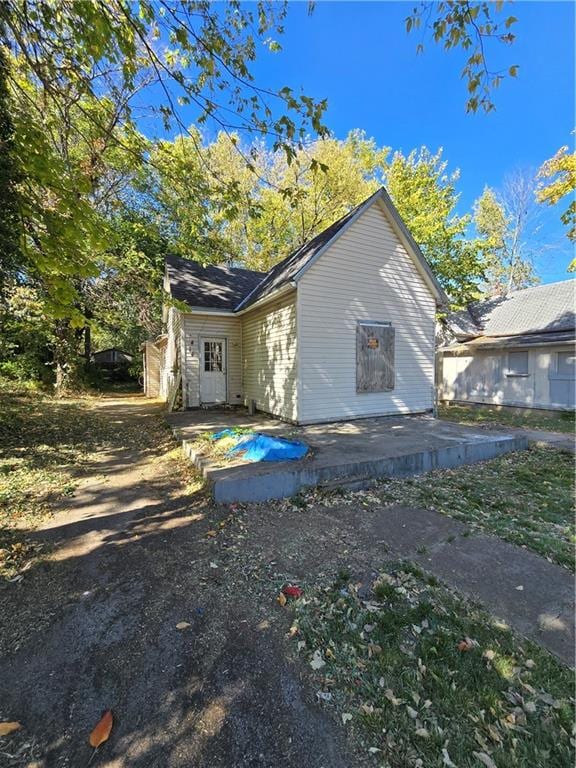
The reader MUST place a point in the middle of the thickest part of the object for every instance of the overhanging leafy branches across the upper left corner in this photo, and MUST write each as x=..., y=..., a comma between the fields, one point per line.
x=194, y=53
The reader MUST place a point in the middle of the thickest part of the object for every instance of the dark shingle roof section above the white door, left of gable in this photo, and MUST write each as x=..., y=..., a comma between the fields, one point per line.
x=210, y=287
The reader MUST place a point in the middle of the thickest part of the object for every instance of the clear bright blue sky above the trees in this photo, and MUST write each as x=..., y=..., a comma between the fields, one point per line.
x=359, y=56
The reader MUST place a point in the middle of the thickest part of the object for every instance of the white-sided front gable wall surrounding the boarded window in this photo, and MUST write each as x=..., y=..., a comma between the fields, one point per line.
x=366, y=275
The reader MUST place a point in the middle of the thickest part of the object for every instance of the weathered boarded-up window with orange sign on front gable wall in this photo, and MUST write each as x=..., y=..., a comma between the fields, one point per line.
x=374, y=357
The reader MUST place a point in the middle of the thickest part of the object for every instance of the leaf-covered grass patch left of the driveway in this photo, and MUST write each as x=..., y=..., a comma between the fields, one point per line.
x=46, y=445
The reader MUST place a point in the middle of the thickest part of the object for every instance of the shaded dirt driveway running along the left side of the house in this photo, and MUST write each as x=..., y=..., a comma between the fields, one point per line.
x=136, y=553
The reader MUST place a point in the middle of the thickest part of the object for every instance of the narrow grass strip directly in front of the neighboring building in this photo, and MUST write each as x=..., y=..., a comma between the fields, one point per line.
x=554, y=421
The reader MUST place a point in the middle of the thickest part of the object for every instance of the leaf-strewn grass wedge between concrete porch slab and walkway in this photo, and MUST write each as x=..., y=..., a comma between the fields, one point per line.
x=526, y=498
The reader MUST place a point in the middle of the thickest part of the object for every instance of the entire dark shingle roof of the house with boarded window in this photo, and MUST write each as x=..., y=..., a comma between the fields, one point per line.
x=227, y=288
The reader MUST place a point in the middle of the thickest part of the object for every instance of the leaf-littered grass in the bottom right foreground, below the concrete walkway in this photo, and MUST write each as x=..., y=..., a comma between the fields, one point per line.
x=394, y=671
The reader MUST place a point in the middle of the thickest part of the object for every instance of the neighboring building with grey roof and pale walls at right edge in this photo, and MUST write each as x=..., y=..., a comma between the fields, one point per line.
x=516, y=350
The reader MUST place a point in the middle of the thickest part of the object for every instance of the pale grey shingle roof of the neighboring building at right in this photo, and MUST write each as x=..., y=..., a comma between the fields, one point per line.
x=542, y=309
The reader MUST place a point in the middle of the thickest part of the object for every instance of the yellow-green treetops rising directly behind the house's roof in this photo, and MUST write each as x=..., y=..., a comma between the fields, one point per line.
x=281, y=205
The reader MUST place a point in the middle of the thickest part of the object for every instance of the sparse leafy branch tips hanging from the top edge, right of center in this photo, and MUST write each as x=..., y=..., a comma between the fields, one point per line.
x=469, y=27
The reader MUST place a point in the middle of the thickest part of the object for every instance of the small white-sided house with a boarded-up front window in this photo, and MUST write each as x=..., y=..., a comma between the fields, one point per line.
x=343, y=328
